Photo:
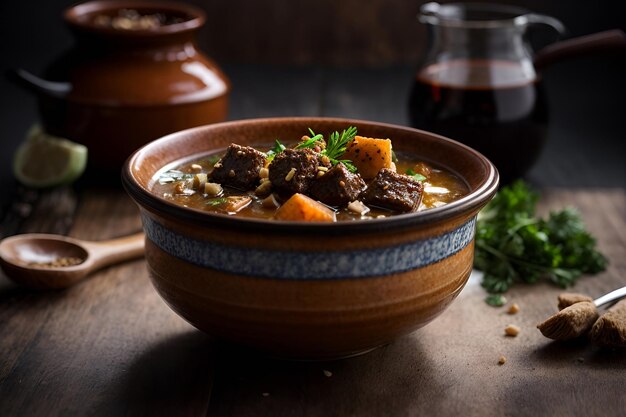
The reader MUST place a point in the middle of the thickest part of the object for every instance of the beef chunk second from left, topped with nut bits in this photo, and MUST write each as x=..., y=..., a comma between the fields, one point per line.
x=292, y=171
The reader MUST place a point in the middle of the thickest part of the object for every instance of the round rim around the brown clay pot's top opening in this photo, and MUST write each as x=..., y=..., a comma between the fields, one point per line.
x=82, y=17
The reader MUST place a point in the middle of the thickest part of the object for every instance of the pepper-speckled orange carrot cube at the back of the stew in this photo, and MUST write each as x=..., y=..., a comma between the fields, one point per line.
x=369, y=155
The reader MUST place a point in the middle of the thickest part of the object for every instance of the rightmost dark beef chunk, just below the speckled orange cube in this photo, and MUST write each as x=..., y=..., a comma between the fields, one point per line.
x=393, y=191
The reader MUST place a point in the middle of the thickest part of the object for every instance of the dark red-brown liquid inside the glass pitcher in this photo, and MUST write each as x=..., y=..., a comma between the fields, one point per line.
x=488, y=105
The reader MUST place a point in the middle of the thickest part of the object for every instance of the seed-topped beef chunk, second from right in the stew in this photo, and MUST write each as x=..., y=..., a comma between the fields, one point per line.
x=337, y=187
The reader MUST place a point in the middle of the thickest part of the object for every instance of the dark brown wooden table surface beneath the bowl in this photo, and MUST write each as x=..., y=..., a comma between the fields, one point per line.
x=110, y=346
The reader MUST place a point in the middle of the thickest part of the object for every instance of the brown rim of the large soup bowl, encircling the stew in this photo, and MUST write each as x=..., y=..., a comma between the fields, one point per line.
x=473, y=201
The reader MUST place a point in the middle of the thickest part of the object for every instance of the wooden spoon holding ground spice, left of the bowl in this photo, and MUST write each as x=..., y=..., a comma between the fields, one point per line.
x=36, y=260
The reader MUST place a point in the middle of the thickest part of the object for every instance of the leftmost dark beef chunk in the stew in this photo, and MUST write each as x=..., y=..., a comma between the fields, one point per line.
x=239, y=168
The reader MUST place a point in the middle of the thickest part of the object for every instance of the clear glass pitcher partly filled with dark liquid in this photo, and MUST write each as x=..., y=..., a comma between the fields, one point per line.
x=478, y=84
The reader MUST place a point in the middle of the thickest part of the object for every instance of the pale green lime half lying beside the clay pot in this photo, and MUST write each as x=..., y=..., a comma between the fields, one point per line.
x=44, y=160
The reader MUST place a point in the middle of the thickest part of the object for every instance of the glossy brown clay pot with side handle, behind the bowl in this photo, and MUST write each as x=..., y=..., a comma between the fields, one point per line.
x=117, y=89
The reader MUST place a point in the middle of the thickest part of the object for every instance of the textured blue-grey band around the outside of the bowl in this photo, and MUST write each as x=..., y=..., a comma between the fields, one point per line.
x=309, y=264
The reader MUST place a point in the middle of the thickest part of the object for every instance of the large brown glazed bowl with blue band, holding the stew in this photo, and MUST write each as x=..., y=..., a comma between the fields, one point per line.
x=304, y=290
